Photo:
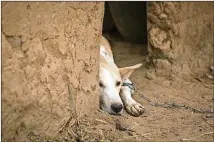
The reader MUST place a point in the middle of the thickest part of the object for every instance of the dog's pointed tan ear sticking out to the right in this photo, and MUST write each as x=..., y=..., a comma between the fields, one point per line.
x=127, y=71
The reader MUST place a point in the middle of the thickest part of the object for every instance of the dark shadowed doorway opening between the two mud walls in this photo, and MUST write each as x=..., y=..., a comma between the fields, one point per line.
x=129, y=19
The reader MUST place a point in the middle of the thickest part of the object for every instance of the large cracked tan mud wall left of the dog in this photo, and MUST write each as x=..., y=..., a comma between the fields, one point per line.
x=47, y=46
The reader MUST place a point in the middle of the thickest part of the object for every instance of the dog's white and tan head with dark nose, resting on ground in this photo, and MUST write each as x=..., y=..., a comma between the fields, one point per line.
x=111, y=79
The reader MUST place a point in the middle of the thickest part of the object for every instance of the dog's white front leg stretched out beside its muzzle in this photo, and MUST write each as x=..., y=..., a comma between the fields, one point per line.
x=132, y=107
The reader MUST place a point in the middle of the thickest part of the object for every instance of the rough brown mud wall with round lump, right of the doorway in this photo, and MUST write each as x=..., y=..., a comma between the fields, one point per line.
x=180, y=37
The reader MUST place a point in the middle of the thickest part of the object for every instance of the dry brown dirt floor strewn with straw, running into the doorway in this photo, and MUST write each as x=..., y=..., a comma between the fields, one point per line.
x=157, y=123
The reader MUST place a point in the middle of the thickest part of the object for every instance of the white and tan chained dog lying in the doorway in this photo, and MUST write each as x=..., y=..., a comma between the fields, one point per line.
x=115, y=86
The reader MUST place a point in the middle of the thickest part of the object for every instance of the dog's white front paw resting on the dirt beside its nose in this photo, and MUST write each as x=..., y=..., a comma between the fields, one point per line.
x=135, y=109
